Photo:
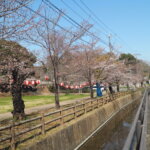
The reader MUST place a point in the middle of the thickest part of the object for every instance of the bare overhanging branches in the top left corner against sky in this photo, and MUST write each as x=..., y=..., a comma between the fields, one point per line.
x=15, y=18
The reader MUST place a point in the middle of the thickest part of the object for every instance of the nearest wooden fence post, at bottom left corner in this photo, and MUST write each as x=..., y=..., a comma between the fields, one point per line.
x=12, y=131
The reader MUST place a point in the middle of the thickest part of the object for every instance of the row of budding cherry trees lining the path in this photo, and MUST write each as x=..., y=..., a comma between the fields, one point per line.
x=64, y=58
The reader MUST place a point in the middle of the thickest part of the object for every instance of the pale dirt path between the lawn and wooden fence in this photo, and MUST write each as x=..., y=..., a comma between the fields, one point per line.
x=7, y=115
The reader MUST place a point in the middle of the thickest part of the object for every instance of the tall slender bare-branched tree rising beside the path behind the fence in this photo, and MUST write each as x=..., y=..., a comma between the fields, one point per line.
x=55, y=42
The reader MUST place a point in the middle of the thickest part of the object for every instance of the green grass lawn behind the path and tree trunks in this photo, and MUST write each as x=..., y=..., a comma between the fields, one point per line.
x=35, y=100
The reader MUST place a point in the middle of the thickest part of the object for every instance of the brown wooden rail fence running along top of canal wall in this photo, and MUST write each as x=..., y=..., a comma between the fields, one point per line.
x=18, y=132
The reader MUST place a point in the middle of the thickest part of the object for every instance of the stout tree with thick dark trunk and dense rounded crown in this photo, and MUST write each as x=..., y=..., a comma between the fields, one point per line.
x=16, y=64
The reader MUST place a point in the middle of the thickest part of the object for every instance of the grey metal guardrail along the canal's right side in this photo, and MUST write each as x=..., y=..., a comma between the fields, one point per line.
x=136, y=139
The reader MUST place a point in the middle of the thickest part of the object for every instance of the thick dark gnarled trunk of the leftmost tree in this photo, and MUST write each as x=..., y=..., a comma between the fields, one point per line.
x=18, y=103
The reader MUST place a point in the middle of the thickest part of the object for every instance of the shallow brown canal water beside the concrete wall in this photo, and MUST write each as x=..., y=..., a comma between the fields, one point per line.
x=114, y=134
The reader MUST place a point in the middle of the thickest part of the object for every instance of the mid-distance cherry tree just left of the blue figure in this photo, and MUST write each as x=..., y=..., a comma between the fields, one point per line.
x=86, y=61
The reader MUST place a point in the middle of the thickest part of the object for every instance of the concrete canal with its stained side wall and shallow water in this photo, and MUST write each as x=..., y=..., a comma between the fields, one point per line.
x=105, y=127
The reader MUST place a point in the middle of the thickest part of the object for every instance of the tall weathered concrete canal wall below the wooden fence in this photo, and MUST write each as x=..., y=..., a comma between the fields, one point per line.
x=71, y=134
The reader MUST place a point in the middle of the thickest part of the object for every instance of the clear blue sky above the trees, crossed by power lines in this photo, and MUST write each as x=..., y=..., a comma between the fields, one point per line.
x=127, y=21
